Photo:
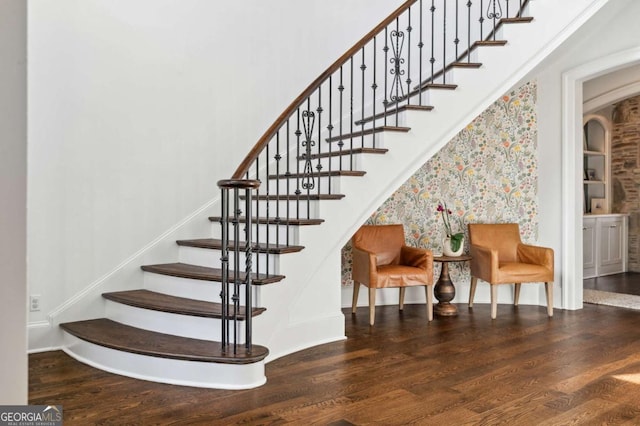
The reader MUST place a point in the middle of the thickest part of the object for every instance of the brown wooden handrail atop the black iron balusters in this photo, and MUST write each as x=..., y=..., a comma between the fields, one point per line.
x=281, y=120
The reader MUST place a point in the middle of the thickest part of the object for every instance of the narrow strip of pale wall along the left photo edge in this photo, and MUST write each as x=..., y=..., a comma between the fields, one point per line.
x=13, y=193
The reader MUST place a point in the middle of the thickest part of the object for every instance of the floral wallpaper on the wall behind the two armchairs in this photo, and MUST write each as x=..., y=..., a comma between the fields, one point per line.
x=487, y=173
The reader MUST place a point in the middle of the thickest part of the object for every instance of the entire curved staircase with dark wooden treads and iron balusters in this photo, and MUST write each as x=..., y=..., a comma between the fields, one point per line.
x=375, y=108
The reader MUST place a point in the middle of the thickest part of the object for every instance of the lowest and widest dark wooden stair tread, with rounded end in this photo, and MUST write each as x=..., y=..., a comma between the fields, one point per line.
x=118, y=336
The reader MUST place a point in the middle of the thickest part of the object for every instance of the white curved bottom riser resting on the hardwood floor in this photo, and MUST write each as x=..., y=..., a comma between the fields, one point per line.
x=165, y=370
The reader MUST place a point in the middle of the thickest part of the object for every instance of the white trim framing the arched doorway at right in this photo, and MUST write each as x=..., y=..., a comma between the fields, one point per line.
x=572, y=110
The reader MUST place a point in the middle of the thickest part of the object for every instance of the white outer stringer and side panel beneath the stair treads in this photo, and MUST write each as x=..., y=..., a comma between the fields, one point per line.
x=305, y=309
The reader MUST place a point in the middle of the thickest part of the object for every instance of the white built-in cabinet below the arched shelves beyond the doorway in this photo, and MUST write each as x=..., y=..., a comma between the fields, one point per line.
x=604, y=239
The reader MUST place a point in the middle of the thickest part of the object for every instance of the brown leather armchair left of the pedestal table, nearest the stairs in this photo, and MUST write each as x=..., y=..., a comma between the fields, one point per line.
x=381, y=259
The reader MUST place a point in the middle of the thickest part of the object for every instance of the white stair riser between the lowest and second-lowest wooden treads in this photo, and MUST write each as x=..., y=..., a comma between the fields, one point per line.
x=168, y=323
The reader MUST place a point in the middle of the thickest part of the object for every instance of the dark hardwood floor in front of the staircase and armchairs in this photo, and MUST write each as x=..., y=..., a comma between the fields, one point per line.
x=524, y=368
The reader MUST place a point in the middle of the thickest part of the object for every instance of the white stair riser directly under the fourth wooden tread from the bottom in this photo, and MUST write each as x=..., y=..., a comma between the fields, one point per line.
x=211, y=258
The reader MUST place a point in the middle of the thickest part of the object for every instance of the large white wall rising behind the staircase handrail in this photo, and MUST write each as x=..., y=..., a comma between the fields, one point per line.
x=138, y=107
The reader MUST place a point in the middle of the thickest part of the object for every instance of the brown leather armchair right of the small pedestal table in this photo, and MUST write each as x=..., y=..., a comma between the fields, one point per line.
x=500, y=257
